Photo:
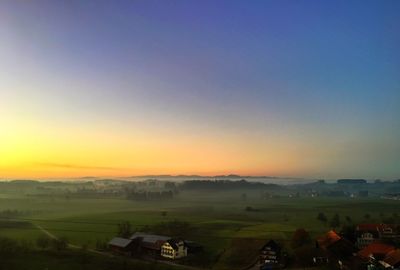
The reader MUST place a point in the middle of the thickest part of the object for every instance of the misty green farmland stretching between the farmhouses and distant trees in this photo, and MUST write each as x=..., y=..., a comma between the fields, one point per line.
x=218, y=220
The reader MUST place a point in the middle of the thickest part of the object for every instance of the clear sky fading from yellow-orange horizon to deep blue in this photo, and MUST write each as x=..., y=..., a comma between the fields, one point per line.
x=121, y=88
